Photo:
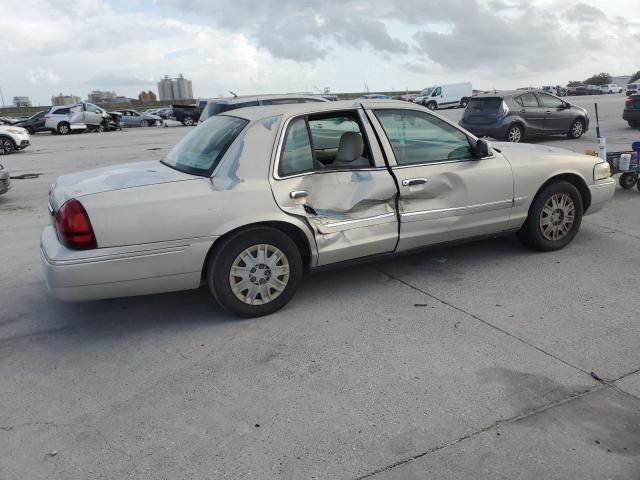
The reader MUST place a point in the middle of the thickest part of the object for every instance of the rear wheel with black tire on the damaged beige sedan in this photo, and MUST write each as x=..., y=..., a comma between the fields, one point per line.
x=255, y=272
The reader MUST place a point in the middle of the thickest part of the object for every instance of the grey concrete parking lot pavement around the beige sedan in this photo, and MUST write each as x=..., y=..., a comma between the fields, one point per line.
x=484, y=360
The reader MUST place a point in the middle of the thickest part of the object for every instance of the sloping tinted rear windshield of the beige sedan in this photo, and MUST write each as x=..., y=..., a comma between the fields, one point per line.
x=200, y=151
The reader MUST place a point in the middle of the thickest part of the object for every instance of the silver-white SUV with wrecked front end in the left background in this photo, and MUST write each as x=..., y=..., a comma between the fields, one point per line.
x=78, y=117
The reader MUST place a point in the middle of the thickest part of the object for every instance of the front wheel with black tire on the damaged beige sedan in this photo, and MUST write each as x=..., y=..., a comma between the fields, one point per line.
x=554, y=217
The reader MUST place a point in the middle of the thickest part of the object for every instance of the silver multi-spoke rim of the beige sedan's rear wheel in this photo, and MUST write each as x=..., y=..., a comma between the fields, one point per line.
x=259, y=274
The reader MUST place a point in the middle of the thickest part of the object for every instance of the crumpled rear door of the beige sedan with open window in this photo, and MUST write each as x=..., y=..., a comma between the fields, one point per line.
x=328, y=172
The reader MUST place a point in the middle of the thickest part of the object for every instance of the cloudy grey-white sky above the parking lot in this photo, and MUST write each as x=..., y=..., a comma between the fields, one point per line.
x=274, y=46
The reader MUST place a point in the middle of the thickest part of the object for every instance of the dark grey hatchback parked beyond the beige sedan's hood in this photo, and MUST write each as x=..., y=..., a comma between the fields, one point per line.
x=515, y=115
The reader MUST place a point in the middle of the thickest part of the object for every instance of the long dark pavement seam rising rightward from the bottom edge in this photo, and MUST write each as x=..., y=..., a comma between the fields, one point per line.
x=497, y=423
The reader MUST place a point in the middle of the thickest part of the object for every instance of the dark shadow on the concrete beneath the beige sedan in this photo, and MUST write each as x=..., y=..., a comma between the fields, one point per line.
x=34, y=313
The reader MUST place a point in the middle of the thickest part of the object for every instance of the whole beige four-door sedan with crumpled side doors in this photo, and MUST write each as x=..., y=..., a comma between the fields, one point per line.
x=253, y=198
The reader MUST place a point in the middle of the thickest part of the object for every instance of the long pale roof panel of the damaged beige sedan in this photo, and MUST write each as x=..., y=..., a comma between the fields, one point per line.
x=293, y=109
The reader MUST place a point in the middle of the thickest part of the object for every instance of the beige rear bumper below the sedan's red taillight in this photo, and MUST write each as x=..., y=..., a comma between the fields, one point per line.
x=74, y=275
